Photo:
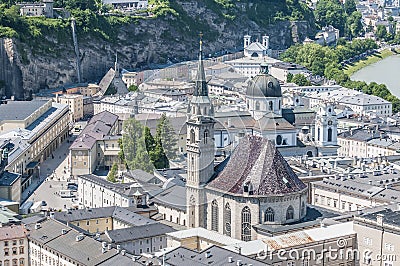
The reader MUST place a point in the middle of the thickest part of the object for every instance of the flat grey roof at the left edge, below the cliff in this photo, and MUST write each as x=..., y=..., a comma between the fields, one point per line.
x=19, y=110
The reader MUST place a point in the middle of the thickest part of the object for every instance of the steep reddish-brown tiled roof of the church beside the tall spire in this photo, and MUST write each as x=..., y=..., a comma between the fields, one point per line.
x=257, y=160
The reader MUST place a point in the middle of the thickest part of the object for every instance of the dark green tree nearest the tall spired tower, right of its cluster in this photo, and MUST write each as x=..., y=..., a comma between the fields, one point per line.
x=167, y=135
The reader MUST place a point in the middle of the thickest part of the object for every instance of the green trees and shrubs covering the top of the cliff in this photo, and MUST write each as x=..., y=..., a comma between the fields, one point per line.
x=90, y=17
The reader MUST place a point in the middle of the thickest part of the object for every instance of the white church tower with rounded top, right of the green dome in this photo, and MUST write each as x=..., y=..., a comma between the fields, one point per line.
x=326, y=125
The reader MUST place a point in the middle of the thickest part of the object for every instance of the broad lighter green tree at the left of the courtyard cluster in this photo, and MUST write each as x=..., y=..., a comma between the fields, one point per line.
x=134, y=146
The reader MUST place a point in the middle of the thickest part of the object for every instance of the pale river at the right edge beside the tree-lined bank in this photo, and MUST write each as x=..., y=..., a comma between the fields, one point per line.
x=386, y=71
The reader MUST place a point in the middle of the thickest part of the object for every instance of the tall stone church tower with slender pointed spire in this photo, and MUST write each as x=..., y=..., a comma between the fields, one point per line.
x=200, y=148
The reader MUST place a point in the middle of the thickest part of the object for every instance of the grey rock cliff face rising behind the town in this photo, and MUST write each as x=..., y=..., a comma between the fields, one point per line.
x=148, y=41
